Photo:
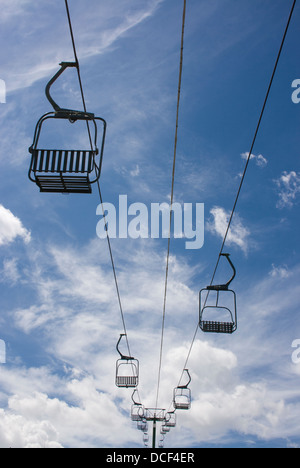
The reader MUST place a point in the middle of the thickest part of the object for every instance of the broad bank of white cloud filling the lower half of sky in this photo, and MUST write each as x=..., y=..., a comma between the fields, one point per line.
x=81, y=329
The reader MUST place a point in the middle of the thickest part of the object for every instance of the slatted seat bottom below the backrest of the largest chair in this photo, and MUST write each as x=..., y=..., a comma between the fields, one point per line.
x=63, y=184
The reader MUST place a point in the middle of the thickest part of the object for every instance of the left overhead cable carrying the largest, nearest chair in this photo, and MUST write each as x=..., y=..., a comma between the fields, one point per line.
x=100, y=194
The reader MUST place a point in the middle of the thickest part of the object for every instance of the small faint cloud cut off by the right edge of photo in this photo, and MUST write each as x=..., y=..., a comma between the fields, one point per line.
x=289, y=189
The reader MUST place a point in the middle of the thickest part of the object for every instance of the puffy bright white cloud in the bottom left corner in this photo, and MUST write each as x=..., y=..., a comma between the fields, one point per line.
x=35, y=420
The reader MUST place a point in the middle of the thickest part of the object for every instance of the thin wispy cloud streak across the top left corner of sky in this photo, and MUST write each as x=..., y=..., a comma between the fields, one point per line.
x=41, y=58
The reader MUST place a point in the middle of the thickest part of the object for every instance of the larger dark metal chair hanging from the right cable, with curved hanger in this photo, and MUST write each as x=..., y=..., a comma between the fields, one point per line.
x=220, y=315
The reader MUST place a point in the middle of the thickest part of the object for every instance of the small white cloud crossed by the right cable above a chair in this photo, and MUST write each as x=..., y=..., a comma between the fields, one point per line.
x=238, y=233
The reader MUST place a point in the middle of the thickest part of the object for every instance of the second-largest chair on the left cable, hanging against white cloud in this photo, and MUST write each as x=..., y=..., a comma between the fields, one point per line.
x=127, y=370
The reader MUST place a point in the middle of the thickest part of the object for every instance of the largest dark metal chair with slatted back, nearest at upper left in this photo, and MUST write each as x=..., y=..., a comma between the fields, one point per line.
x=66, y=170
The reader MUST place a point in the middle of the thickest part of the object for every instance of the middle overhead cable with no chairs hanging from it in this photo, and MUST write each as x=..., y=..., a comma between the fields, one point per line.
x=171, y=204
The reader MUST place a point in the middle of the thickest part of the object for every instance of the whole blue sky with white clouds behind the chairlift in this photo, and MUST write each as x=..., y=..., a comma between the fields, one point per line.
x=59, y=312
